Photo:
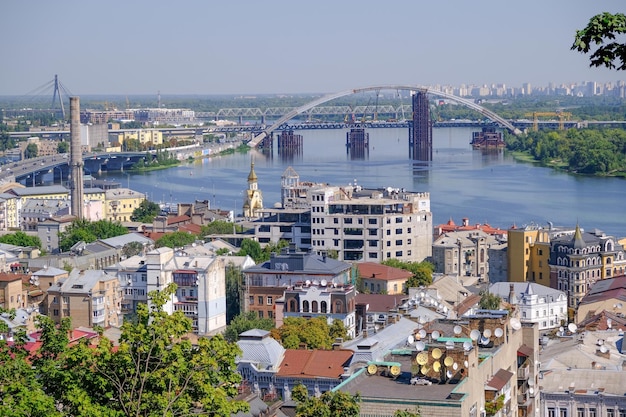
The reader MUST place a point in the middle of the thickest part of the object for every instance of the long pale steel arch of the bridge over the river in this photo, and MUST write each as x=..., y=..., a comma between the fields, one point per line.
x=299, y=110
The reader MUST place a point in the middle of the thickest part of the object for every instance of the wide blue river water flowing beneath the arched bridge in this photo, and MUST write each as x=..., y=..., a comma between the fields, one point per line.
x=486, y=187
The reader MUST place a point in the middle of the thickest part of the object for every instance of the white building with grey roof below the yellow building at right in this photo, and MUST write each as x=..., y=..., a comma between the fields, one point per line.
x=537, y=303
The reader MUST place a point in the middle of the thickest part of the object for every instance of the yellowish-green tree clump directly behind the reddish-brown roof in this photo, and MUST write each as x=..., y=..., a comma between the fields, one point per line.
x=315, y=333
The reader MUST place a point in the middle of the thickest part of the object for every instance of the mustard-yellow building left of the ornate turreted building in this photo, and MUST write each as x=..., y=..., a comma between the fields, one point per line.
x=528, y=255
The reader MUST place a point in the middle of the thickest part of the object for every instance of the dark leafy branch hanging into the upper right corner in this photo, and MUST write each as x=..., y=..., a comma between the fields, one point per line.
x=602, y=30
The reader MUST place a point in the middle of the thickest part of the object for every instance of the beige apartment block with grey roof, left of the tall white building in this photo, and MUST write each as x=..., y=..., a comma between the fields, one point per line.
x=90, y=297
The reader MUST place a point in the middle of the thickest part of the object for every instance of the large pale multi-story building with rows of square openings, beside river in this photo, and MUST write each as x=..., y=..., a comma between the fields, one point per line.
x=371, y=224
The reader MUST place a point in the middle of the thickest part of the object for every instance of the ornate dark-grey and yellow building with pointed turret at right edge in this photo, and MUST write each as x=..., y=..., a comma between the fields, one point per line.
x=579, y=260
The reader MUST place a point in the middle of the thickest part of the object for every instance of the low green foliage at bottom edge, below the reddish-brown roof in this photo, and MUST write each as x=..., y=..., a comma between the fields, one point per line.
x=329, y=404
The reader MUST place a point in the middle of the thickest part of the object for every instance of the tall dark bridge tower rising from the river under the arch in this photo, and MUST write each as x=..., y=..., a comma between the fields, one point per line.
x=421, y=131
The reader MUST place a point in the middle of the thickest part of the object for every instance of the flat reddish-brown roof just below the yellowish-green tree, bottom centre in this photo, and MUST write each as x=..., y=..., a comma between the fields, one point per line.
x=314, y=363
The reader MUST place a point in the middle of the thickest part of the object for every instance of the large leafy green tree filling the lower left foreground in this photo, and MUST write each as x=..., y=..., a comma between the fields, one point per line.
x=155, y=370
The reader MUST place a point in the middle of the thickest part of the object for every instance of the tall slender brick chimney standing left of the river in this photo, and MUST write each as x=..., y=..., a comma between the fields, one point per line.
x=76, y=159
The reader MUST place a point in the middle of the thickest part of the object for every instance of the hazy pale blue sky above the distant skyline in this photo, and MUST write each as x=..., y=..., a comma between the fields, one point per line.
x=270, y=46
